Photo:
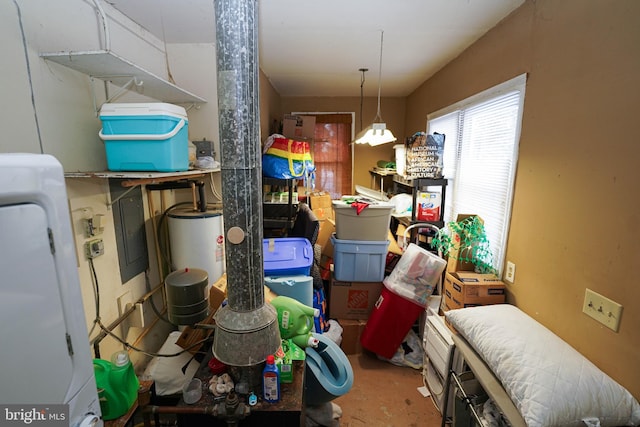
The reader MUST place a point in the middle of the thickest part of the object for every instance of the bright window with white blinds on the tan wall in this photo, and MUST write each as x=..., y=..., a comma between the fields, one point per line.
x=480, y=158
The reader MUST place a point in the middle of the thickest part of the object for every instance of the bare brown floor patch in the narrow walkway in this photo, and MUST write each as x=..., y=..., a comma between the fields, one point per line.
x=385, y=395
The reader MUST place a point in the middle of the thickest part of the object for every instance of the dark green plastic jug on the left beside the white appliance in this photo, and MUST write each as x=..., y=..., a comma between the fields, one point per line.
x=117, y=385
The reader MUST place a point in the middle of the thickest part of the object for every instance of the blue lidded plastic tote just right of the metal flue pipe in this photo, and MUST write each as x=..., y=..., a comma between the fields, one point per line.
x=287, y=256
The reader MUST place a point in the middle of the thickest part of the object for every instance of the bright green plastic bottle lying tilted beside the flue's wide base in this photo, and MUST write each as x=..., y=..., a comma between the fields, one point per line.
x=296, y=321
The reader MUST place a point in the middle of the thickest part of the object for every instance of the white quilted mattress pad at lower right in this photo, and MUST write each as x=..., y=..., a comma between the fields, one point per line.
x=550, y=383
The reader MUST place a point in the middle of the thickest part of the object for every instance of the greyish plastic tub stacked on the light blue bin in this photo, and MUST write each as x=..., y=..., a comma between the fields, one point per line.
x=372, y=223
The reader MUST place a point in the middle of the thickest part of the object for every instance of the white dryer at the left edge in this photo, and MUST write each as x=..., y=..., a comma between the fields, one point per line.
x=45, y=352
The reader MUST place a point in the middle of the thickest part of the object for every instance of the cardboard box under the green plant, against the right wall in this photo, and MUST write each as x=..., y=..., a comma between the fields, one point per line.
x=468, y=289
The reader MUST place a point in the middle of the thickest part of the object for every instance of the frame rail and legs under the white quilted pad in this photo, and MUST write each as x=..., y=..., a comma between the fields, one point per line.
x=487, y=380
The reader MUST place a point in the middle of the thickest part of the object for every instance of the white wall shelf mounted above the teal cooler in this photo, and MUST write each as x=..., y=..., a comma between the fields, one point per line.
x=108, y=66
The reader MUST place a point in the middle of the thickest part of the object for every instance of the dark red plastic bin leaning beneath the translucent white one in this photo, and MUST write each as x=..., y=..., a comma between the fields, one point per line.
x=389, y=322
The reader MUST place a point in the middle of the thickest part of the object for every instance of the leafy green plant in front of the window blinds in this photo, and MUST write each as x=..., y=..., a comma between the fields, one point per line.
x=469, y=236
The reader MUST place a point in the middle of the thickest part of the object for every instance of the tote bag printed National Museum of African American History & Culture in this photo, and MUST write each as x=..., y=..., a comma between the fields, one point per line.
x=424, y=155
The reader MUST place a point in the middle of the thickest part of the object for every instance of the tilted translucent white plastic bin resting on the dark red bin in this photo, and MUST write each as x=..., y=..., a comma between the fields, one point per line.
x=416, y=274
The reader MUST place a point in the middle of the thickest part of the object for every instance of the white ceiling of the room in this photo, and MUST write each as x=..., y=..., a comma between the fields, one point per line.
x=315, y=48
